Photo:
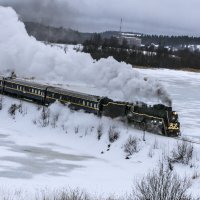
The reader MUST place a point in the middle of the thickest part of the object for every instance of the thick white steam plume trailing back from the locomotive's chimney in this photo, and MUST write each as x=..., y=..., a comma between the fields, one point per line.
x=27, y=57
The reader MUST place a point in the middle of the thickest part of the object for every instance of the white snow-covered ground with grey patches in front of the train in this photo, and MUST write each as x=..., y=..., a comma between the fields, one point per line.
x=35, y=158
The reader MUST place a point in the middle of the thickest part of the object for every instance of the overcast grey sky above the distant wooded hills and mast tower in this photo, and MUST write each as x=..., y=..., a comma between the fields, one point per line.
x=177, y=17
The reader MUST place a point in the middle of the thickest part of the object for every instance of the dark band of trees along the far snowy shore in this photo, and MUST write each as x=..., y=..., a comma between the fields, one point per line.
x=145, y=55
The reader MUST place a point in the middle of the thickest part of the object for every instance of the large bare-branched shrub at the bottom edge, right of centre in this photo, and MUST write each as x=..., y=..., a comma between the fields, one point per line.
x=162, y=184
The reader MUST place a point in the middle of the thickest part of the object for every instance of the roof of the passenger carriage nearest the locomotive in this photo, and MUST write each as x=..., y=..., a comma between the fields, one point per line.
x=74, y=93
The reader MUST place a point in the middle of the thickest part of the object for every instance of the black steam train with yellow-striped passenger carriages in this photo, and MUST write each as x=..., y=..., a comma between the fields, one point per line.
x=158, y=118
